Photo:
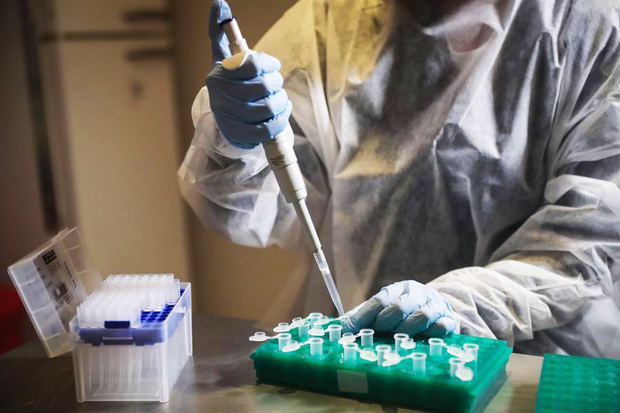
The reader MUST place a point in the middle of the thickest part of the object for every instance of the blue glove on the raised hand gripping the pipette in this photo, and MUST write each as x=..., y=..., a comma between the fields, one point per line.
x=249, y=104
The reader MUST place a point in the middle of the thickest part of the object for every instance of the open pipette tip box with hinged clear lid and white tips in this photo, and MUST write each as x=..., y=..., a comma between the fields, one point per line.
x=115, y=357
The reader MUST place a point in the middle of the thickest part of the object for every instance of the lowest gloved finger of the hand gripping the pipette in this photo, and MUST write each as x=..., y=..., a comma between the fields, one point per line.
x=242, y=133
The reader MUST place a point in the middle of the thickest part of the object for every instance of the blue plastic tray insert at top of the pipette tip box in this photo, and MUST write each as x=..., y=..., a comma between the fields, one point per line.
x=155, y=327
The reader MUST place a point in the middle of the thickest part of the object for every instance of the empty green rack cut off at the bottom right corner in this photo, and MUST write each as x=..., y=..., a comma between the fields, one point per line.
x=578, y=384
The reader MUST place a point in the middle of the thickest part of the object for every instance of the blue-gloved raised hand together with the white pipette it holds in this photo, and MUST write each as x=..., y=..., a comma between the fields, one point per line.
x=251, y=108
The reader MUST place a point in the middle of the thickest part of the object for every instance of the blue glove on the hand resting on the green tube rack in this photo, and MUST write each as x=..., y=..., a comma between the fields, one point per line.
x=404, y=307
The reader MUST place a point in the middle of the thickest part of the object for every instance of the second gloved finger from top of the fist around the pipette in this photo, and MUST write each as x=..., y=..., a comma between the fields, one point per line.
x=248, y=90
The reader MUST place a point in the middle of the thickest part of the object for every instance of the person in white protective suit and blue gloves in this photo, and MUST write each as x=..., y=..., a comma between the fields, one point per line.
x=462, y=158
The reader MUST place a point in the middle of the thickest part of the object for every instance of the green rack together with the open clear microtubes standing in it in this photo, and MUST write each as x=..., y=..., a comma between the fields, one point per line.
x=438, y=375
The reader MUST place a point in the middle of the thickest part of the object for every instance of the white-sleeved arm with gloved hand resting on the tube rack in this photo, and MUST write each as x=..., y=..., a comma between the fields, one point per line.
x=565, y=254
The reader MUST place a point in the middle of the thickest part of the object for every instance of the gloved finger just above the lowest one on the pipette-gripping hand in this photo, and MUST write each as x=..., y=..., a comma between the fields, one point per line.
x=250, y=112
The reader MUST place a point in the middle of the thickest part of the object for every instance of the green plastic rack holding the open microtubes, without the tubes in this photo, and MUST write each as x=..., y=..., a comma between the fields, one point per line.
x=399, y=385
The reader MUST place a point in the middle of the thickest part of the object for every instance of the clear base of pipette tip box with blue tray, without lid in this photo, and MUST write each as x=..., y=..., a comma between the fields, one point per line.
x=134, y=361
